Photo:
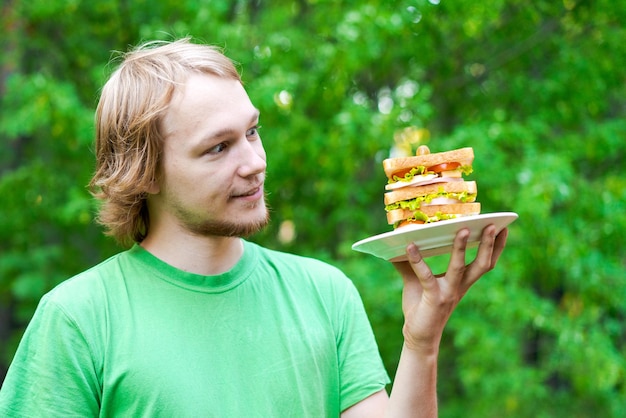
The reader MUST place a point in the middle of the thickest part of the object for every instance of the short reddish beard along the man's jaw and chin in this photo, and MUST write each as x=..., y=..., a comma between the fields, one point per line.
x=242, y=228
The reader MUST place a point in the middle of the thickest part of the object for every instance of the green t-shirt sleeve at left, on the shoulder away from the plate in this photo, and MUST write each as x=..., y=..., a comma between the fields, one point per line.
x=52, y=373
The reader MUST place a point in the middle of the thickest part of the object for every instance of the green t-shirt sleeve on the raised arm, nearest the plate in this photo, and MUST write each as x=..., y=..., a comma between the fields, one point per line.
x=362, y=372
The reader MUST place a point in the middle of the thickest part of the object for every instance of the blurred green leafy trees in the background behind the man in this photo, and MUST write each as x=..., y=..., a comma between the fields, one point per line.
x=536, y=88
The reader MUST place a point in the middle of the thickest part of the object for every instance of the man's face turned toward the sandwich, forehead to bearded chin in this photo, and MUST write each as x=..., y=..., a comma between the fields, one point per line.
x=213, y=164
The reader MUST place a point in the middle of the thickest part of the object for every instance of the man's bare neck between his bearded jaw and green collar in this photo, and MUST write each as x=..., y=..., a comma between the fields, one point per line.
x=200, y=255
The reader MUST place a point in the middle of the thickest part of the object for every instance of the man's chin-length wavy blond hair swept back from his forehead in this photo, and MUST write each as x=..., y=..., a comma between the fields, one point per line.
x=128, y=135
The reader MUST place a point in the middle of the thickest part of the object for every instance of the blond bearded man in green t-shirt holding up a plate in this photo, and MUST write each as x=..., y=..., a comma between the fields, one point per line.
x=194, y=320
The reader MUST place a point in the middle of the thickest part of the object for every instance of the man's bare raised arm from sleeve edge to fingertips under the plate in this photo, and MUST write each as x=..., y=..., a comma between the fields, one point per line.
x=428, y=302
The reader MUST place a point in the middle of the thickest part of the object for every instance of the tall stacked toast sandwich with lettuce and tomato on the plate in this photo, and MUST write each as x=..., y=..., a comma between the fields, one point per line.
x=429, y=187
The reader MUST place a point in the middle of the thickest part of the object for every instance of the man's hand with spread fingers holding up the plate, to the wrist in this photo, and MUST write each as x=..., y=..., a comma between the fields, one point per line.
x=428, y=300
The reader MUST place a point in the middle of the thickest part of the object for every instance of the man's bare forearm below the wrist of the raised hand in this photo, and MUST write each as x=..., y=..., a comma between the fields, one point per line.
x=414, y=392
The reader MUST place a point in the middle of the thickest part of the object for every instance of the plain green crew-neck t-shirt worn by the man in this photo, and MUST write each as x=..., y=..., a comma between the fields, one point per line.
x=276, y=336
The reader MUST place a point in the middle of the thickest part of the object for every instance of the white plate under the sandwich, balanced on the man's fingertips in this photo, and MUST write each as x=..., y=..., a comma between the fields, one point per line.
x=432, y=239
